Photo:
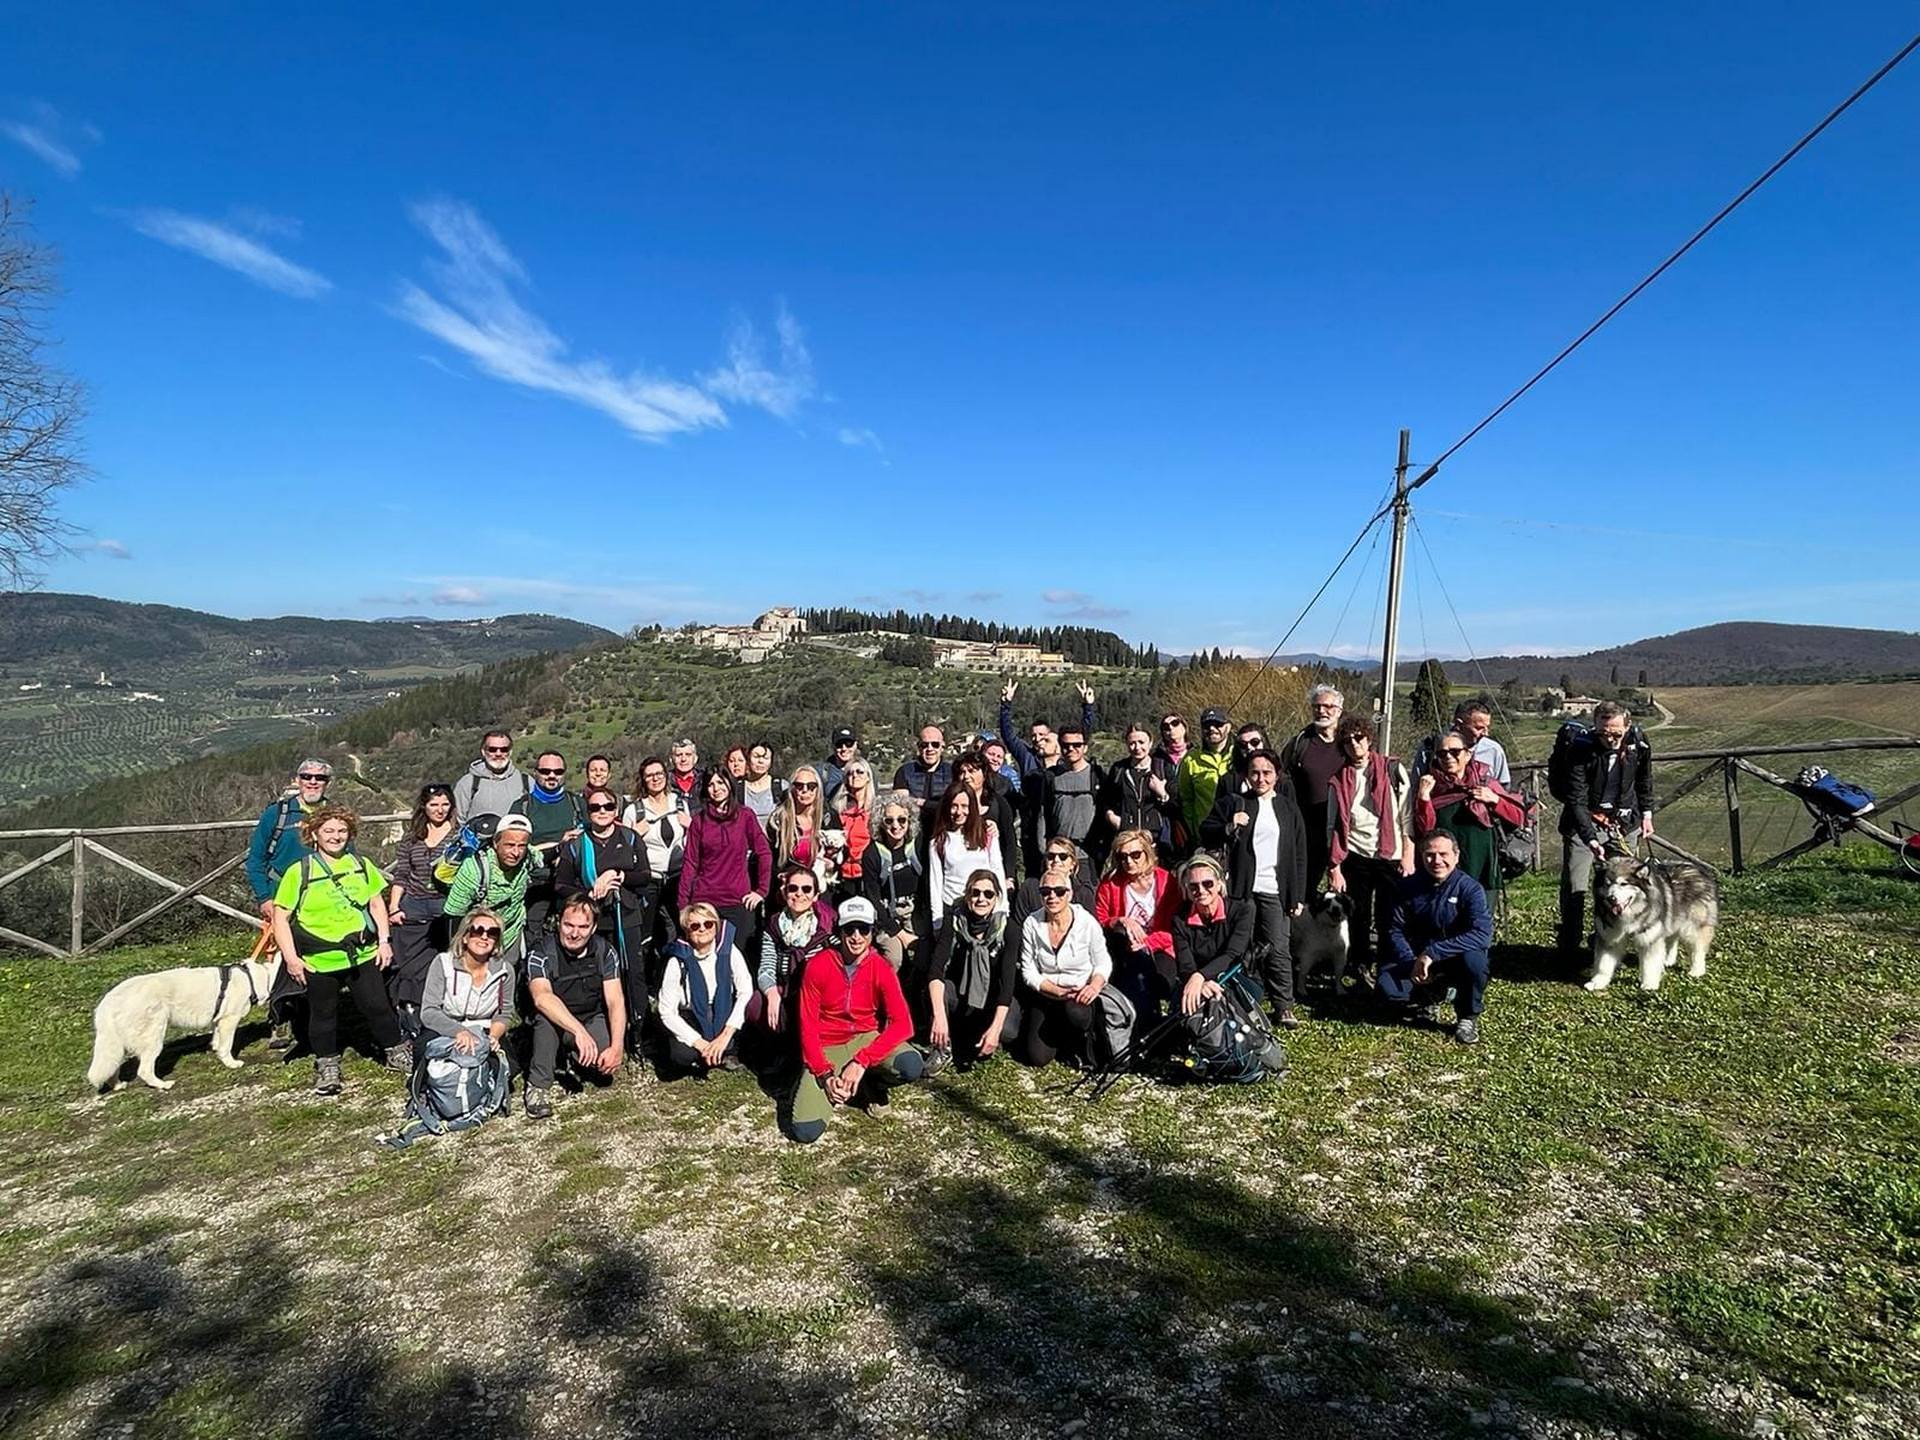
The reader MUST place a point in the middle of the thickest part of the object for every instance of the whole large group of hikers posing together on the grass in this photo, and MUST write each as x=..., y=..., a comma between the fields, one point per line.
x=999, y=894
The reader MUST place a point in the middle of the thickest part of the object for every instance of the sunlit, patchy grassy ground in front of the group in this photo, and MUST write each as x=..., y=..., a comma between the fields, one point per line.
x=1692, y=1214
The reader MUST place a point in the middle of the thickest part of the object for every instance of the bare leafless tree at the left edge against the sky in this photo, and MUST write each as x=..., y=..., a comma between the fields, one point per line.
x=41, y=408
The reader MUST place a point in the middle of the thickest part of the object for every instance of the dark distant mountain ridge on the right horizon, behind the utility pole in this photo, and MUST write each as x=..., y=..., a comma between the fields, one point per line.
x=1731, y=654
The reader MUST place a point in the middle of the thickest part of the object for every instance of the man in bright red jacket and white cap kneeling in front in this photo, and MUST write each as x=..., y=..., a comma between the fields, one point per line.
x=853, y=1024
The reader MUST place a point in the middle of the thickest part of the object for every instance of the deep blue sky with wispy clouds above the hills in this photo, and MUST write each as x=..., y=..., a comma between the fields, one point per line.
x=1049, y=314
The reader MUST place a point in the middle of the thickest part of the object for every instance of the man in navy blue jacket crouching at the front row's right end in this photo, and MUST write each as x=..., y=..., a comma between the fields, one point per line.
x=1441, y=934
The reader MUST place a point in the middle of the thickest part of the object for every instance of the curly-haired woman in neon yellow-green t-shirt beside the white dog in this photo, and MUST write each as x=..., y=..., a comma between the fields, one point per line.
x=331, y=926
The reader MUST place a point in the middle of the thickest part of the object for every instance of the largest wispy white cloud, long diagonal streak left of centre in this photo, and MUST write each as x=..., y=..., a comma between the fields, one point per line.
x=479, y=316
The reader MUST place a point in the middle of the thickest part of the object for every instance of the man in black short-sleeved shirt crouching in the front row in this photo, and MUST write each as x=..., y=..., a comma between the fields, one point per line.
x=575, y=978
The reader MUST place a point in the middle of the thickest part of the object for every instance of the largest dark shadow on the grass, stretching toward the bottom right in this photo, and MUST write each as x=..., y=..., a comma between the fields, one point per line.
x=1176, y=1305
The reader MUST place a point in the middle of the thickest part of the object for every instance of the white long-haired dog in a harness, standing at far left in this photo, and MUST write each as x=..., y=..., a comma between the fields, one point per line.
x=135, y=1015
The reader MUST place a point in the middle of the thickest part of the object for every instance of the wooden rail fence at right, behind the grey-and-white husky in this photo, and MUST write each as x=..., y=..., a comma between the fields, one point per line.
x=1729, y=767
